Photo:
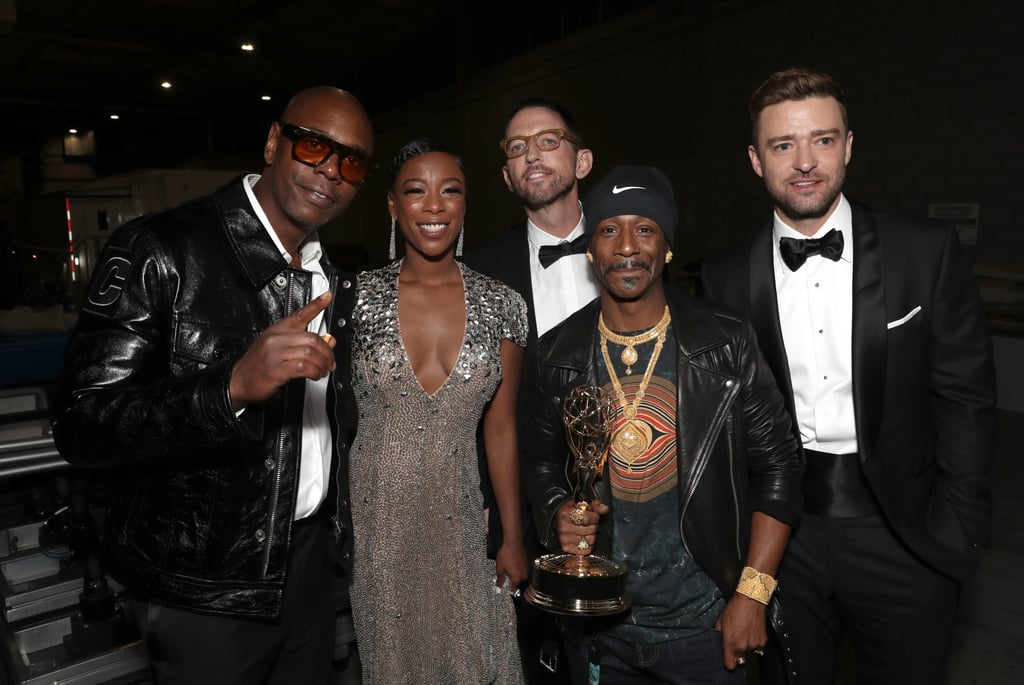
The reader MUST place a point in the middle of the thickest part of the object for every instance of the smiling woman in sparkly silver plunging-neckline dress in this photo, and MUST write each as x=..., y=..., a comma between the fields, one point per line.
x=436, y=347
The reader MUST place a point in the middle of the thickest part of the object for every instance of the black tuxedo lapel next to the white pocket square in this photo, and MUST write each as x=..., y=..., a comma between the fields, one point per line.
x=869, y=330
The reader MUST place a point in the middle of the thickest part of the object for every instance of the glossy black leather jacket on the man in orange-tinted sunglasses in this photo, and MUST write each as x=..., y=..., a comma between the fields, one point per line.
x=203, y=508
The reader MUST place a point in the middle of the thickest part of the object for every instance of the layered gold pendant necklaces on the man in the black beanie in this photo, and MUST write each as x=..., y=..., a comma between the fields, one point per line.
x=635, y=436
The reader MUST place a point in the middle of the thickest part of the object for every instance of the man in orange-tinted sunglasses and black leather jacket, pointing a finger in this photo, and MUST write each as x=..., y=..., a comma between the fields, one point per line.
x=209, y=369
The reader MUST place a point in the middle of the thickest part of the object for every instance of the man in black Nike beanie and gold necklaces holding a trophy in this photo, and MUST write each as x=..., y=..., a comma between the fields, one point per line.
x=701, y=485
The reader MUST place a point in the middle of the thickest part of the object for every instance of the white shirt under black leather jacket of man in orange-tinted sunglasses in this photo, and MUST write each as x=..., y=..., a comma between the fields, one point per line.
x=315, y=458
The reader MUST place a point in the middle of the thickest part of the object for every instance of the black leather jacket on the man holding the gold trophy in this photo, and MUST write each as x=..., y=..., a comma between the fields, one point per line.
x=737, y=453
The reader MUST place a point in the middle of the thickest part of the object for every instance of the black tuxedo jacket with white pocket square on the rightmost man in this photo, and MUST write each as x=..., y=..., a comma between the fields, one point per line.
x=924, y=381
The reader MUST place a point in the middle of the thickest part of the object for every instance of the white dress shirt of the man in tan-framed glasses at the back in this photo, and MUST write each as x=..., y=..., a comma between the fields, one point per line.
x=563, y=288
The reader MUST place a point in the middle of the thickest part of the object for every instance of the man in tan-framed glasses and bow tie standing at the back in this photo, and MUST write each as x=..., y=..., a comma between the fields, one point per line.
x=545, y=160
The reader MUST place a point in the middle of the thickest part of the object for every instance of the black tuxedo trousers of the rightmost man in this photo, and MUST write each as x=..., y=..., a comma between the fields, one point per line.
x=852, y=579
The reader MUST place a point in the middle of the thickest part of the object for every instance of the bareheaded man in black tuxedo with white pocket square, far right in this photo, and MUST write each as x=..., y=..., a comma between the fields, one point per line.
x=875, y=330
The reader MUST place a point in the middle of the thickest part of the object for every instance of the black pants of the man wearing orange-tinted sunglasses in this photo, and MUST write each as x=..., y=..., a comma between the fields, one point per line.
x=191, y=649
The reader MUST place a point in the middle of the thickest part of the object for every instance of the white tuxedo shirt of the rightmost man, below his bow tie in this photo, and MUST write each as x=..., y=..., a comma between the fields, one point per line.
x=816, y=310
